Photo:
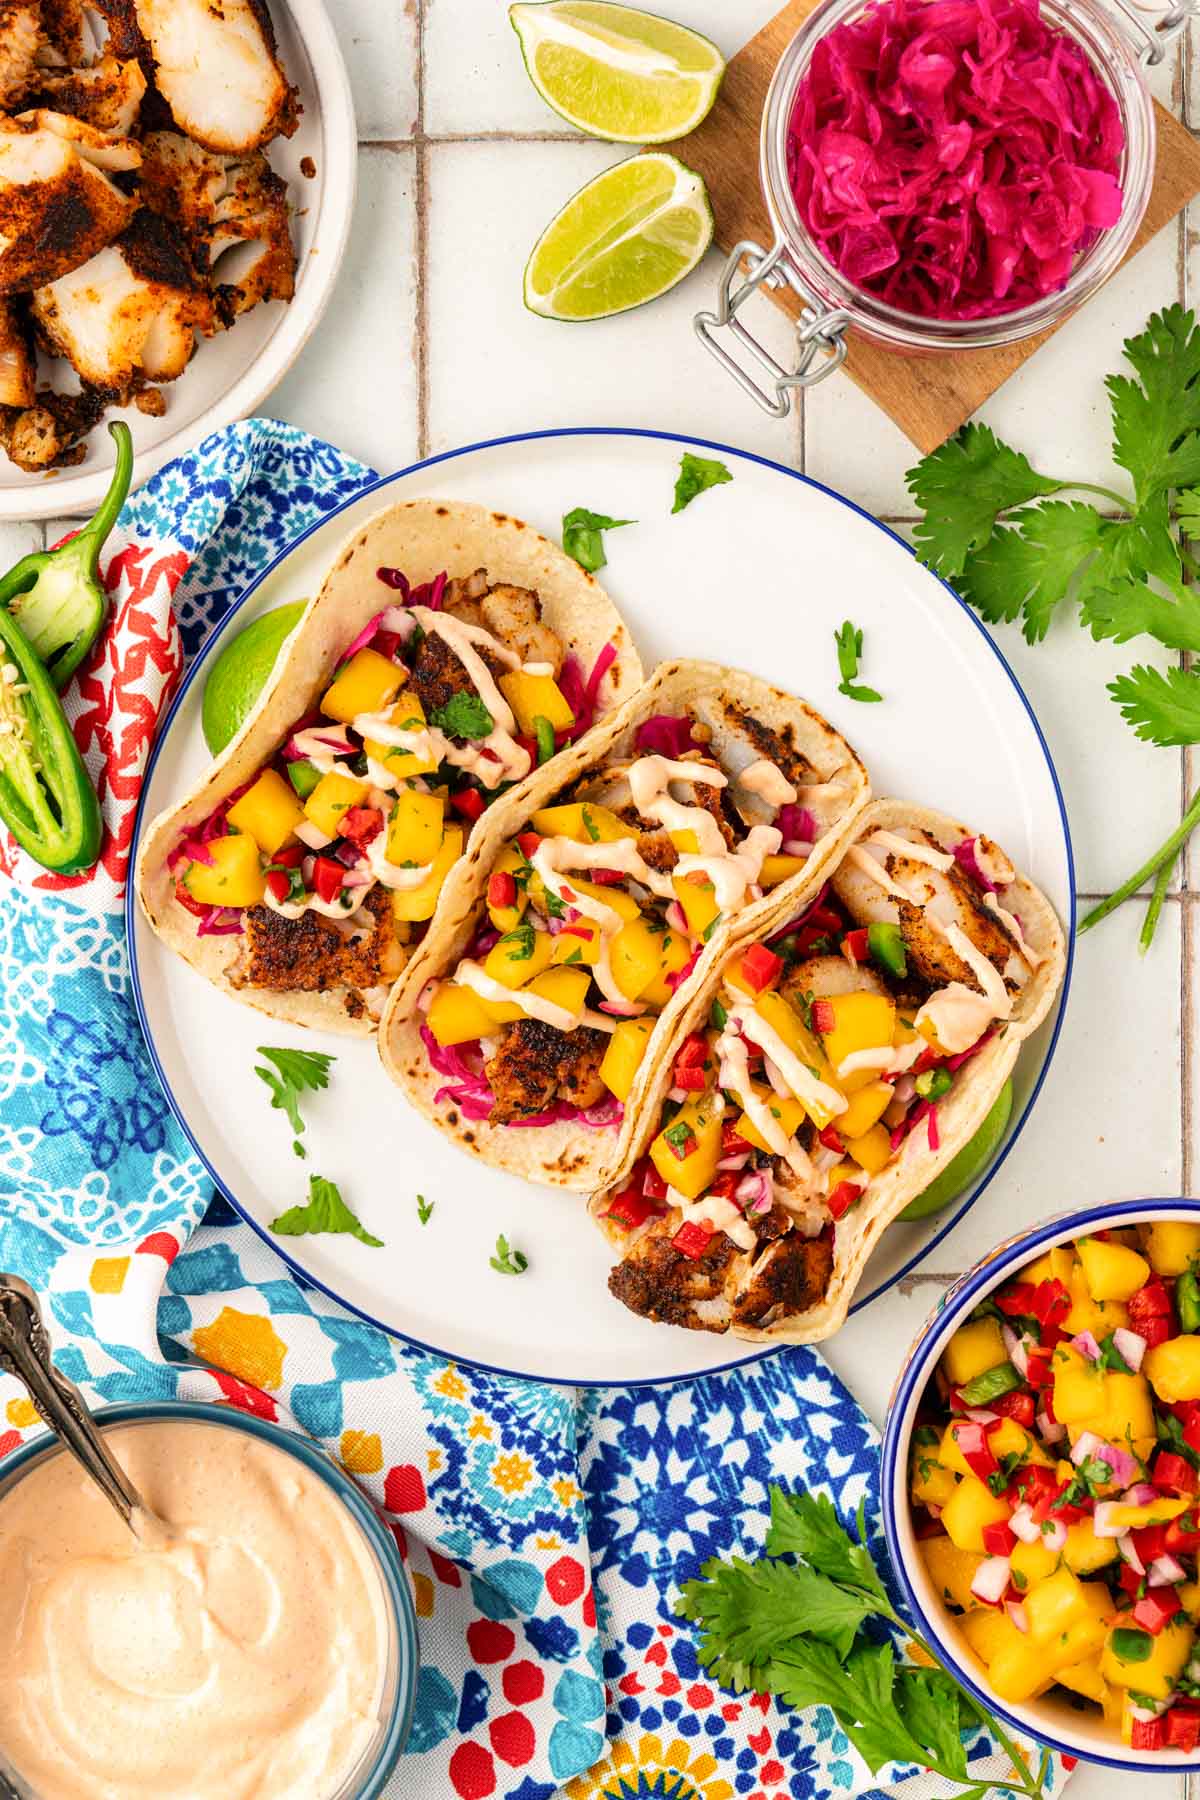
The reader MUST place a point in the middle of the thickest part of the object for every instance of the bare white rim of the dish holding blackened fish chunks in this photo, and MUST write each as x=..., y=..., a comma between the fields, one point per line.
x=233, y=373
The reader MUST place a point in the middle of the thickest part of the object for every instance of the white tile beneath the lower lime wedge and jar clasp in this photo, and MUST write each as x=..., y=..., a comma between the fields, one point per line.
x=497, y=368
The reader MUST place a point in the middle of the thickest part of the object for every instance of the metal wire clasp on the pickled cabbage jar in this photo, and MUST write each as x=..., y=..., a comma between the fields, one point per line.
x=819, y=330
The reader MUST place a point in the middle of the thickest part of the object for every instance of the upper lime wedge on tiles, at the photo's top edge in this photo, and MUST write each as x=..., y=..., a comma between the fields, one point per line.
x=618, y=73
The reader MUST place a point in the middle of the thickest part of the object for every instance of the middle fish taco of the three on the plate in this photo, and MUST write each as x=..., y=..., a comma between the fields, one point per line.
x=530, y=1025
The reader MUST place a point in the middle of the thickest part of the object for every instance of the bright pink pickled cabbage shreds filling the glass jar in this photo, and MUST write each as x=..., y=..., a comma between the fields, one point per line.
x=954, y=157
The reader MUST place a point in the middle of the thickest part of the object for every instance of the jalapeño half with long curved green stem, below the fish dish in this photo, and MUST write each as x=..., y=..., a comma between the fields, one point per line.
x=57, y=597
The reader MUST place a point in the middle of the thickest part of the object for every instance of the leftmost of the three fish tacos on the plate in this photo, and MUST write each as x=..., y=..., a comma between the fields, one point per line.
x=449, y=652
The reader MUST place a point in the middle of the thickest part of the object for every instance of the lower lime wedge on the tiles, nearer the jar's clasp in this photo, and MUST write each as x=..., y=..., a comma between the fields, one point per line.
x=623, y=240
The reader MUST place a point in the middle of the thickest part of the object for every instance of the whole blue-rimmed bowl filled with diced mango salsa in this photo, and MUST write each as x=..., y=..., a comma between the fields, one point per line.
x=1043, y=1484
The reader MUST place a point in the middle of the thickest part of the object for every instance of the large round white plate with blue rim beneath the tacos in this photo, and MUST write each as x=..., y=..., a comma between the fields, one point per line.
x=757, y=573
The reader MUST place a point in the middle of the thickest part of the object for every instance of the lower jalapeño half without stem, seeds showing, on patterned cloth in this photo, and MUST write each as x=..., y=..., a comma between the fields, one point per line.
x=46, y=796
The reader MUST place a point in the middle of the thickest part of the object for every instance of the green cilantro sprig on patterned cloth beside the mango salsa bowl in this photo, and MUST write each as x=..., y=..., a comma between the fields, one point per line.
x=798, y=1623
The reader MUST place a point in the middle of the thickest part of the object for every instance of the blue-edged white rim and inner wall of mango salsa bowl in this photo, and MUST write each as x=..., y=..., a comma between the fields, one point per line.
x=1053, y=1722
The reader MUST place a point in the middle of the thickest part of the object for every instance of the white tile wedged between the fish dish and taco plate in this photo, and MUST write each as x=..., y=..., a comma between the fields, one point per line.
x=357, y=381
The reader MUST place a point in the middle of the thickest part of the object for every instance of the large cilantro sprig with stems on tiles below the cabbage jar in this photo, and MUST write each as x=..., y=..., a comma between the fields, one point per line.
x=996, y=528
